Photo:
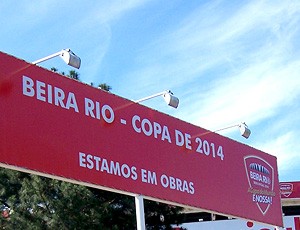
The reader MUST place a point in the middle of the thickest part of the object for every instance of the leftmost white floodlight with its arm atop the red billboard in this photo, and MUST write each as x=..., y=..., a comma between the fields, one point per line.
x=67, y=55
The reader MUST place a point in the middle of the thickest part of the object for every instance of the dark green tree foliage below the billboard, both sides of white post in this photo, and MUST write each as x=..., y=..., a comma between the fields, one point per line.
x=41, y=203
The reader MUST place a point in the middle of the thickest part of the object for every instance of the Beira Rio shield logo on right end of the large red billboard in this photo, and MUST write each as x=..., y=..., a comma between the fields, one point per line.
x=260, y=175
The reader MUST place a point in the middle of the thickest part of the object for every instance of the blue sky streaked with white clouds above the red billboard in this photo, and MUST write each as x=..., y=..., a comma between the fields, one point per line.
x=227, y=61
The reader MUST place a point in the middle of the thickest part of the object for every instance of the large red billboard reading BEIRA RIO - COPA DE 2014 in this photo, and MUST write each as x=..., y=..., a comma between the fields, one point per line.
x=59, y=127
